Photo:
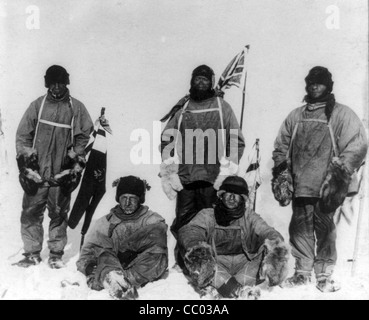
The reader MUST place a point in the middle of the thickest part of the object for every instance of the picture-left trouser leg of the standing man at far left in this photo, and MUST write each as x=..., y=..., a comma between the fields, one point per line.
x=32, y=217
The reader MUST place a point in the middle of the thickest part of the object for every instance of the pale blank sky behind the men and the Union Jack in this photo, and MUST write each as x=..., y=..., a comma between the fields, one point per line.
x=136, y=57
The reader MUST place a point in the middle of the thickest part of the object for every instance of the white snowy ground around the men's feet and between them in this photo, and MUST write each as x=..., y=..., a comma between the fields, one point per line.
x=41, y=282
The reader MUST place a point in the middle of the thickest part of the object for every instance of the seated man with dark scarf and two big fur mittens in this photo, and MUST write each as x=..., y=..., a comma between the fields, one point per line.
x=230, y=249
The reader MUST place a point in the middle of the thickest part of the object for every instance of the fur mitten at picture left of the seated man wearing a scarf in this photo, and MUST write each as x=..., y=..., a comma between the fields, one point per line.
x=200, y=264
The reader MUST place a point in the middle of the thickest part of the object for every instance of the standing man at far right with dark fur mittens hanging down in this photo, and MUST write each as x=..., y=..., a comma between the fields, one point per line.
x=318, y=148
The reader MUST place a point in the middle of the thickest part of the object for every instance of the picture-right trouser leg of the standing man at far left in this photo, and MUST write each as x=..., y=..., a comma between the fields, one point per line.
x=58, y=205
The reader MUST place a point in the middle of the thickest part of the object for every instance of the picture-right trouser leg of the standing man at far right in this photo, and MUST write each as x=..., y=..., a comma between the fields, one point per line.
x=326, y=253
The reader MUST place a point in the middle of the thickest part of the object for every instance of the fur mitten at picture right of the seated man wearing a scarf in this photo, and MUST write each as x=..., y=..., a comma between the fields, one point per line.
x=274, y=268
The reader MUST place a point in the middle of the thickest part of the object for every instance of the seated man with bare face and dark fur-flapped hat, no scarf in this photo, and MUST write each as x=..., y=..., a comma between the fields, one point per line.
x=127, y=248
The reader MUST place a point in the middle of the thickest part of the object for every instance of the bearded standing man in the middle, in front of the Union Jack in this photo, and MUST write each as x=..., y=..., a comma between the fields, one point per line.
x=204, y=116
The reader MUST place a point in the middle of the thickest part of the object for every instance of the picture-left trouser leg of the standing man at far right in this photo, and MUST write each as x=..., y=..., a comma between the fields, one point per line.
x=301, y=232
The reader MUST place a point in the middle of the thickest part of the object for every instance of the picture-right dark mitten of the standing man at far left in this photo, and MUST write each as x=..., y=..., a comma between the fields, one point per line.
x=71, y=173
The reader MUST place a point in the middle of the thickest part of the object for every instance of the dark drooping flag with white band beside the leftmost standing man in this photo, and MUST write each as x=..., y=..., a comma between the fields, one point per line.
x=93, y=186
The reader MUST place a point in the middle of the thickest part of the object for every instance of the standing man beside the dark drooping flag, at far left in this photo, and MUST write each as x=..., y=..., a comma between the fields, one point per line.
x=50, y=143
